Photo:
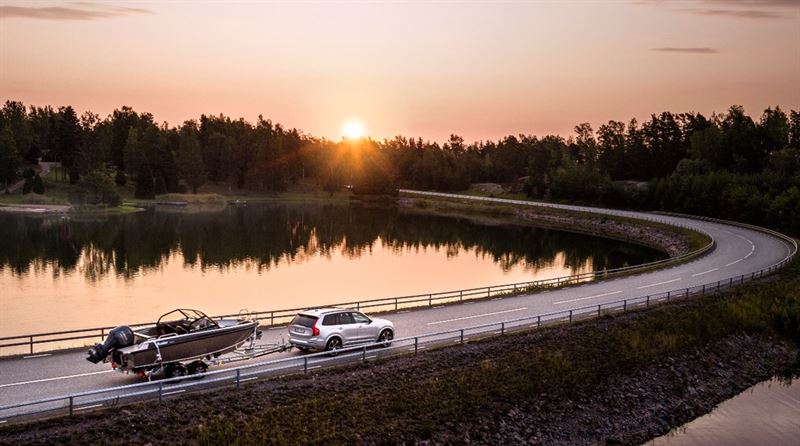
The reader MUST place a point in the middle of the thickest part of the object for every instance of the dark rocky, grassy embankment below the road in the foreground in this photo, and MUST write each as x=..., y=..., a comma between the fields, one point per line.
x=618, y=380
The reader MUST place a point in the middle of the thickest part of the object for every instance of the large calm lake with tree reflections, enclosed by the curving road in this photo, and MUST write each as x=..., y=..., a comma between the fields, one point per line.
x=62, y=273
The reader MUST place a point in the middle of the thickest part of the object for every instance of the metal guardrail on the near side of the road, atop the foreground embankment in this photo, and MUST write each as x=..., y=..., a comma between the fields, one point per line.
x=116, y=396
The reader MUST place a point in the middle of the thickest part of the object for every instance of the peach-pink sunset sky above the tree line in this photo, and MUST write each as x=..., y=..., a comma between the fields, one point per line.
x=480, y=69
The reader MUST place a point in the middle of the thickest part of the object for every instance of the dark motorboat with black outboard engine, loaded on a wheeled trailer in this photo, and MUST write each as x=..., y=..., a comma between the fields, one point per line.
x=181, y=342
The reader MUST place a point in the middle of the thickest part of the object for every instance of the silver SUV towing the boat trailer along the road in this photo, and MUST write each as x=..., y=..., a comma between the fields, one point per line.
x=334, y=328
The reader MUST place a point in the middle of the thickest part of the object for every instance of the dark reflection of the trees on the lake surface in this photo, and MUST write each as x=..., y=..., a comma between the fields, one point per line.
x=261, y=237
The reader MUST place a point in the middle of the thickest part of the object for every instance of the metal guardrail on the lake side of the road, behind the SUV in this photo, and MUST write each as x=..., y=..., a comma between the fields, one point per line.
x=278, y=317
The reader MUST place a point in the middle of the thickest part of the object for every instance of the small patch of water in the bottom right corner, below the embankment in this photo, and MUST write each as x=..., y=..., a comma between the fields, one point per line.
x=766, y=414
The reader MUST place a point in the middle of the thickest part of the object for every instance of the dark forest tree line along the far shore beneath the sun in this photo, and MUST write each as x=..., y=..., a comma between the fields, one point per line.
x=728, y=165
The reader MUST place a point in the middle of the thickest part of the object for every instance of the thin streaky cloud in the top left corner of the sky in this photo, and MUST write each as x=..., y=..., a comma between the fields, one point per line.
x=74, y=11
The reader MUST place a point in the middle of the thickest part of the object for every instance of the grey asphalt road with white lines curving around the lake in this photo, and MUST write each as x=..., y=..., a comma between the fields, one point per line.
x=738, y=251
